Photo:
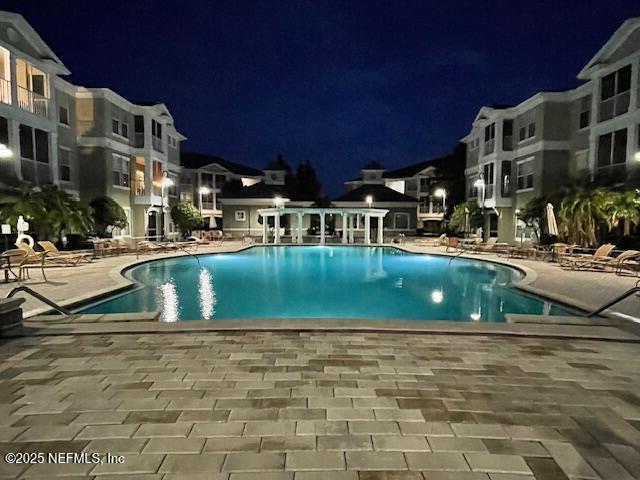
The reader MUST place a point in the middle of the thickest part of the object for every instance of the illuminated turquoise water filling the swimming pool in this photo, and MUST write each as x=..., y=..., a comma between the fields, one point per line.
x=321, y=282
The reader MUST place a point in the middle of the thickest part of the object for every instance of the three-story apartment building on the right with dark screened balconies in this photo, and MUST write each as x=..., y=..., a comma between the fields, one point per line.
x=515, y=153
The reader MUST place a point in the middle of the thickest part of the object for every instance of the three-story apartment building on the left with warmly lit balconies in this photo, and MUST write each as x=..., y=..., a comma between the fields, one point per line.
x=89, y=142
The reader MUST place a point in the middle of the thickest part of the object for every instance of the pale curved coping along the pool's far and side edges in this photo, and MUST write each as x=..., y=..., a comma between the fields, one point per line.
x=123, y=283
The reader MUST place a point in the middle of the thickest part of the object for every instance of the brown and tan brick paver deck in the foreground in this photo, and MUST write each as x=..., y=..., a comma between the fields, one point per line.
x=307, y=406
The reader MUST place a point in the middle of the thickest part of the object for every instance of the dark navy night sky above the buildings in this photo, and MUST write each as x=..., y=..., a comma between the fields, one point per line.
x=337, y=83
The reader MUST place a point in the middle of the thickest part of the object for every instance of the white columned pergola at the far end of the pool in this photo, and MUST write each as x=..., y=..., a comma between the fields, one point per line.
x=348, y=215
